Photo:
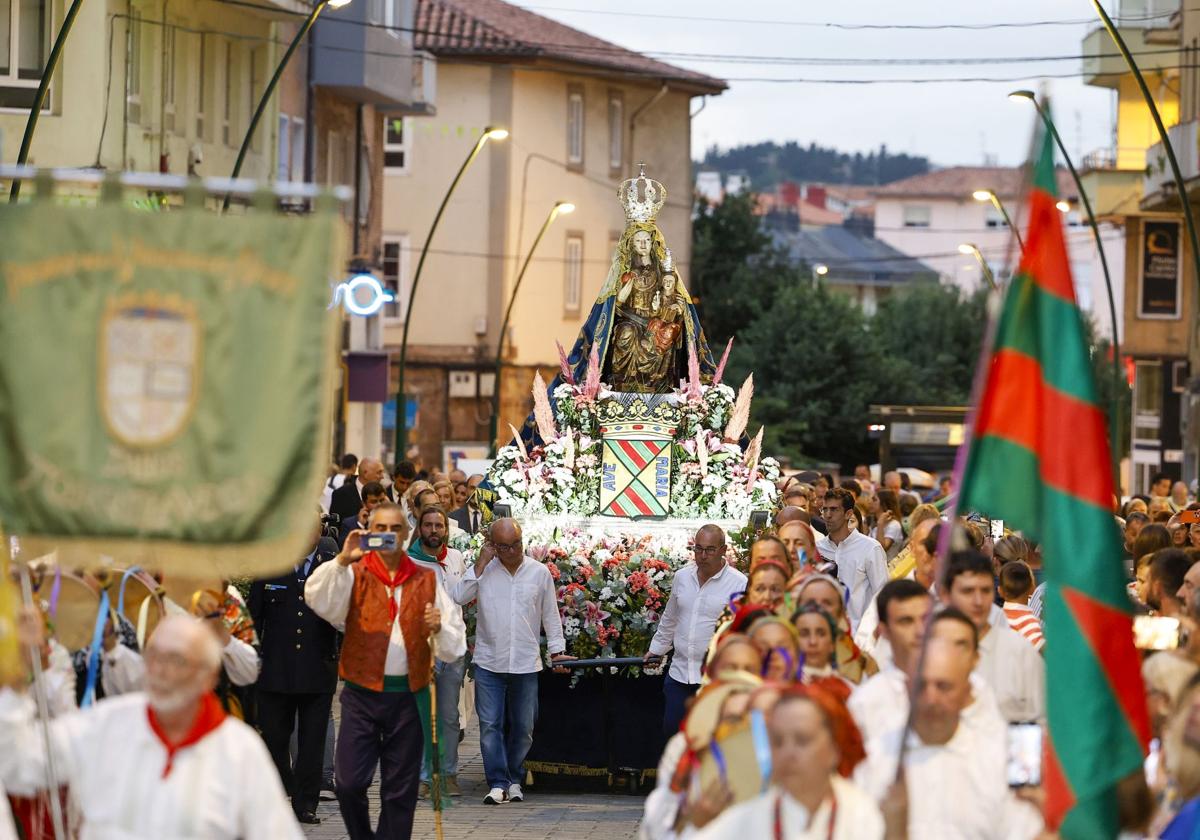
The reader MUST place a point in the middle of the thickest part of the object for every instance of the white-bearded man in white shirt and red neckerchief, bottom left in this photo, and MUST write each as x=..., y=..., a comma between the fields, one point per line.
x=161, y=764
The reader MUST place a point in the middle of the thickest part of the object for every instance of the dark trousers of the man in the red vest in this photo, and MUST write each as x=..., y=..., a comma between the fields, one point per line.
x=381, y=729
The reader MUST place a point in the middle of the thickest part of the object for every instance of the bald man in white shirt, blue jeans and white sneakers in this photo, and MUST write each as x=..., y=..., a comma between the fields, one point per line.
x=517, y=604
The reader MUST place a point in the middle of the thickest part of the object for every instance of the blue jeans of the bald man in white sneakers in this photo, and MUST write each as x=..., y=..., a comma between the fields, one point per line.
x=507, y=705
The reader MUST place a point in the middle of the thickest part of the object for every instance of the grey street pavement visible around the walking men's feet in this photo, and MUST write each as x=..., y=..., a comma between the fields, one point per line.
x=542, y=817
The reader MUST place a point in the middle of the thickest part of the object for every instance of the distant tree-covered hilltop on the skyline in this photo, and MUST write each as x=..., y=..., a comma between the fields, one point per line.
x=769, y=164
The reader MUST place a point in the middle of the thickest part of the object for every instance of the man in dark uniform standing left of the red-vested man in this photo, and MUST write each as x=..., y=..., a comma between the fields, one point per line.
x=298, y=679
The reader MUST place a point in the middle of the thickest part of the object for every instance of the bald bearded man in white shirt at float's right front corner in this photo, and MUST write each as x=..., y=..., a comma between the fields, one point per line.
x=700, y=593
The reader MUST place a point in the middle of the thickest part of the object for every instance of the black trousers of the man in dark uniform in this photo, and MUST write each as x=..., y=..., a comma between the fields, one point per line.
x=309, y=716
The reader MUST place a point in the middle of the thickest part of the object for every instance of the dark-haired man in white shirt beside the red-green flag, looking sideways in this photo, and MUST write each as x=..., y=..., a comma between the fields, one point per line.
x=1011, y=667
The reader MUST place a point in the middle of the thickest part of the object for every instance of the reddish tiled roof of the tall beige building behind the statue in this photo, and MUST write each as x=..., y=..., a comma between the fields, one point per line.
x=500, y=31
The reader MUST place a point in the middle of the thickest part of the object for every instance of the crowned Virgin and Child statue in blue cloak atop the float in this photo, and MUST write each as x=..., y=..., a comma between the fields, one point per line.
x=644, y=321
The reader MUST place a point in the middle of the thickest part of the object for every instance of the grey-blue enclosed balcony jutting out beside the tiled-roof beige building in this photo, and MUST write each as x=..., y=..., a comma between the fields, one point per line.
x=373, y=65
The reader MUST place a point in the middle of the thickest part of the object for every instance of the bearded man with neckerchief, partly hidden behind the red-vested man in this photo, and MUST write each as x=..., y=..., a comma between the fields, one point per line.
x=430, y=550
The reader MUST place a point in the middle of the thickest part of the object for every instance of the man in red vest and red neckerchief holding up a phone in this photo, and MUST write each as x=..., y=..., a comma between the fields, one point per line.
x=389, y=609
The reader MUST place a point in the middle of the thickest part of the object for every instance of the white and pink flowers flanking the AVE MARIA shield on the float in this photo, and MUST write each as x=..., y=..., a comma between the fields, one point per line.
x=715, y=478
